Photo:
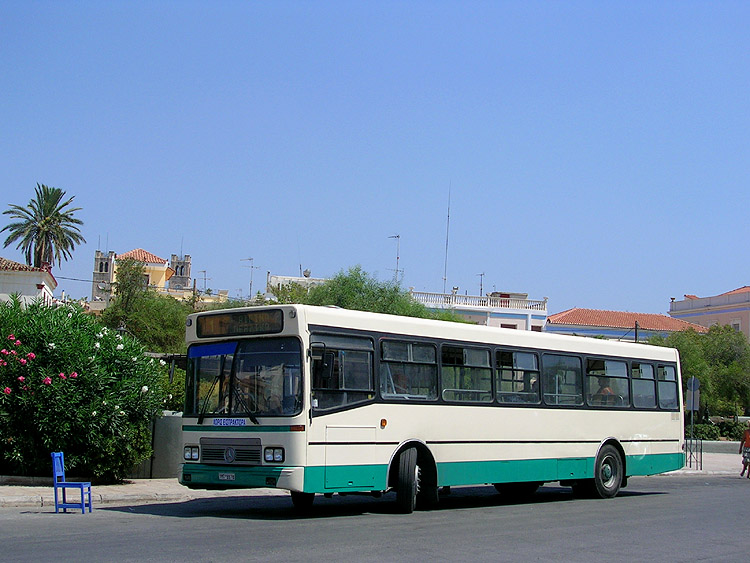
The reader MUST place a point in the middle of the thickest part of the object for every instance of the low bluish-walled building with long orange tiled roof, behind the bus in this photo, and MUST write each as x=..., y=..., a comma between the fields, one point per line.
x=616, y=325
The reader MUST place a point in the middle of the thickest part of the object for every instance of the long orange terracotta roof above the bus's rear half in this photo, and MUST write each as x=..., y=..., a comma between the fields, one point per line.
x=621, y=319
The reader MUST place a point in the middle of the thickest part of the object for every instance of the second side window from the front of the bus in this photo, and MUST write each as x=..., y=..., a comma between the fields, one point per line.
x=408, y=370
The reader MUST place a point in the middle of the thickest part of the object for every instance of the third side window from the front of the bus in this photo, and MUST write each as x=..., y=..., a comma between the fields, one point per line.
x=466, y=374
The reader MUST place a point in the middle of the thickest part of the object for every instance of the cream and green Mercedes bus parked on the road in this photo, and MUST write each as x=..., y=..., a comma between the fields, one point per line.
x=322, y=400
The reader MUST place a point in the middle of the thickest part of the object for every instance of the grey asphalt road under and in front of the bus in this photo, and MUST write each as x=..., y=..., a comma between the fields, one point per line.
x=664, y=518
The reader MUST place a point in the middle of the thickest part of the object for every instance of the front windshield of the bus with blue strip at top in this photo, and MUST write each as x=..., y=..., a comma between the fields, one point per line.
x=246, y=378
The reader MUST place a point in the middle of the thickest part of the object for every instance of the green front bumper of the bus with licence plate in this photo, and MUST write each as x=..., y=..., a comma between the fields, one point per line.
x=202, y=476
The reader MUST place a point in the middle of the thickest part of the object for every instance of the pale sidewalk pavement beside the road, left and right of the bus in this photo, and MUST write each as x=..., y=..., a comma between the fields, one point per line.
x=145, y=491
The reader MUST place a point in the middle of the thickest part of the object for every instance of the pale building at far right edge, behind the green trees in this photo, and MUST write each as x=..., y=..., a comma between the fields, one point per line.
x=729, y=308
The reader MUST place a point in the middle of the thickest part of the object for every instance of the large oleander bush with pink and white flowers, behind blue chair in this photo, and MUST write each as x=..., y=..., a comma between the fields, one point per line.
x=69, y=384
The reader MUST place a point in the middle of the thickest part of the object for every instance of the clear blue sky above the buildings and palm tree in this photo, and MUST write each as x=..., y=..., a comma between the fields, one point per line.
x=597, y=153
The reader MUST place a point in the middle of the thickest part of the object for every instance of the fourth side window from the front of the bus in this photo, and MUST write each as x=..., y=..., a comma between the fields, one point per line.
x=517, y=377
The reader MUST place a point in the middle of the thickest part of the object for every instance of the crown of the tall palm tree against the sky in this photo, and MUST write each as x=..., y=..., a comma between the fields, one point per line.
x=45, y=229
